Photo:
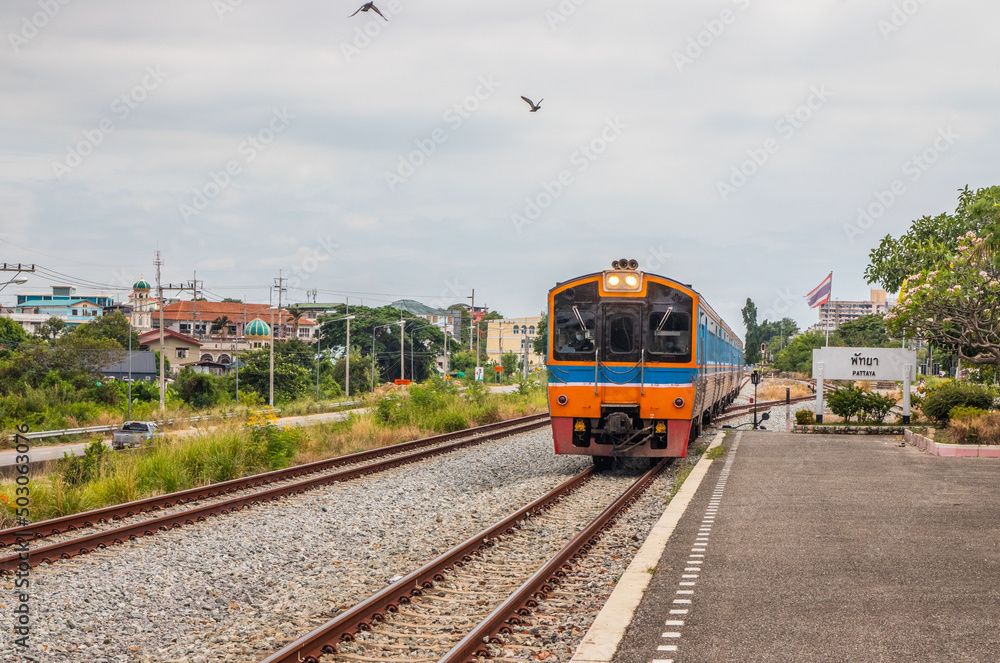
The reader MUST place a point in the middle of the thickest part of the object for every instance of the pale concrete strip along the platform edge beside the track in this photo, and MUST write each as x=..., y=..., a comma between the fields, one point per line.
x=602, y=639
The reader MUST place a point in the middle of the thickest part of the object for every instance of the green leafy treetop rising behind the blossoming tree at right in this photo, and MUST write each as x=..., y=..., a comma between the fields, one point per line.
x=932, y=242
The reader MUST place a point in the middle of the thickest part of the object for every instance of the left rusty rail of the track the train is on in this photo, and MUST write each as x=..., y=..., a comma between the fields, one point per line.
x=324, y=639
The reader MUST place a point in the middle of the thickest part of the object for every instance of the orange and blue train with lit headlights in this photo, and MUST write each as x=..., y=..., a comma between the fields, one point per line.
x=637, y=364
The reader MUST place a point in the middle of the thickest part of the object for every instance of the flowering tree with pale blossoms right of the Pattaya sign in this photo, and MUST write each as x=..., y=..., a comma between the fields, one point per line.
x=956, y=306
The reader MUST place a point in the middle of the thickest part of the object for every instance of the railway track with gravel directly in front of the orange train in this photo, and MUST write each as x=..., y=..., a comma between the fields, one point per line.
x=466, y=601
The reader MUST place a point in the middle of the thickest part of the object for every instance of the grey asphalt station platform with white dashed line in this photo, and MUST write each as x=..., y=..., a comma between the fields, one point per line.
x=816, y=548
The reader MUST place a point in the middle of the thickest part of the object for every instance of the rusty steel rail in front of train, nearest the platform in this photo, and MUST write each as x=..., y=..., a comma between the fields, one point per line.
x=543, y=582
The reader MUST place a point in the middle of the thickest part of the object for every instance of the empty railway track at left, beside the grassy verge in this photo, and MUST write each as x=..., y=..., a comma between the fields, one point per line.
x=200, y=503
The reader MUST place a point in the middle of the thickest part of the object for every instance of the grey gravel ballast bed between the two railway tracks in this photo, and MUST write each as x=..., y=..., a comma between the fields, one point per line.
x=239, y=586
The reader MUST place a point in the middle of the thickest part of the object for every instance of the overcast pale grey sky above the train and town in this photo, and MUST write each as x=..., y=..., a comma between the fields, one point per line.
x=745, y=147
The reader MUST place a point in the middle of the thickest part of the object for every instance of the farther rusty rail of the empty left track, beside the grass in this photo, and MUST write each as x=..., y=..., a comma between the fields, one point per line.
x=107, y=514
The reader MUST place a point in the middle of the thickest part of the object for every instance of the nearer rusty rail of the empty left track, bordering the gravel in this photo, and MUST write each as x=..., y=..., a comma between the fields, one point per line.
x=101, y=539
